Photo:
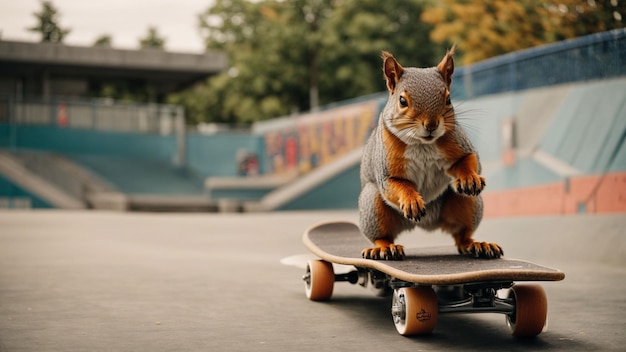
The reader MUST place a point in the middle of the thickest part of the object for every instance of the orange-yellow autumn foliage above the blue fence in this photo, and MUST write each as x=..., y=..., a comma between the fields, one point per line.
x=482, y=29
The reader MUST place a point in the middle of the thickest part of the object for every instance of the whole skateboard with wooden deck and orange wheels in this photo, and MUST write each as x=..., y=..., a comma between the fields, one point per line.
x=430, y=281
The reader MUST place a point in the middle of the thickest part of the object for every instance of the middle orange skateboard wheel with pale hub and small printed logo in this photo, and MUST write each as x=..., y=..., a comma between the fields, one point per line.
x=414, y=310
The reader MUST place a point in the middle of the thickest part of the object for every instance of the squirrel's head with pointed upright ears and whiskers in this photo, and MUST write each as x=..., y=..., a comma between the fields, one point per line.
x=419, y=108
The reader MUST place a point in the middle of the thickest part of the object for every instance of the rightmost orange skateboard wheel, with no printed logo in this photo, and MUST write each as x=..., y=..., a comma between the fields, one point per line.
x=531, y=310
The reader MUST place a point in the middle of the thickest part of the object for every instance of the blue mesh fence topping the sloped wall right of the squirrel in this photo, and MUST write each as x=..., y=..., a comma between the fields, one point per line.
x=596, y=56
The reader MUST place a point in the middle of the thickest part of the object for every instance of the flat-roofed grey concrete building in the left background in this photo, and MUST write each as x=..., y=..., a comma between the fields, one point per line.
x=44, y=70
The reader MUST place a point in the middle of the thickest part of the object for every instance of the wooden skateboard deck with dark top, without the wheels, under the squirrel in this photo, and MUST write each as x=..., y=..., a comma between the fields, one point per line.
x=342, y=243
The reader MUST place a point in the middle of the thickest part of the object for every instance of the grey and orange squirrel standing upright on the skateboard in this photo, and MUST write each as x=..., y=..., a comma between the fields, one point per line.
x=419, y=168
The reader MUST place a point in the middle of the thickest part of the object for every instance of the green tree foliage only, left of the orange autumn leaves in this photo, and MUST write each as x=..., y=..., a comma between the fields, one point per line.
x=286, y=55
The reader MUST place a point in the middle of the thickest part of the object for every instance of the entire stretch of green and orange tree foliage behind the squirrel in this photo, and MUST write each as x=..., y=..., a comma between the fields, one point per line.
x=288, y=56
